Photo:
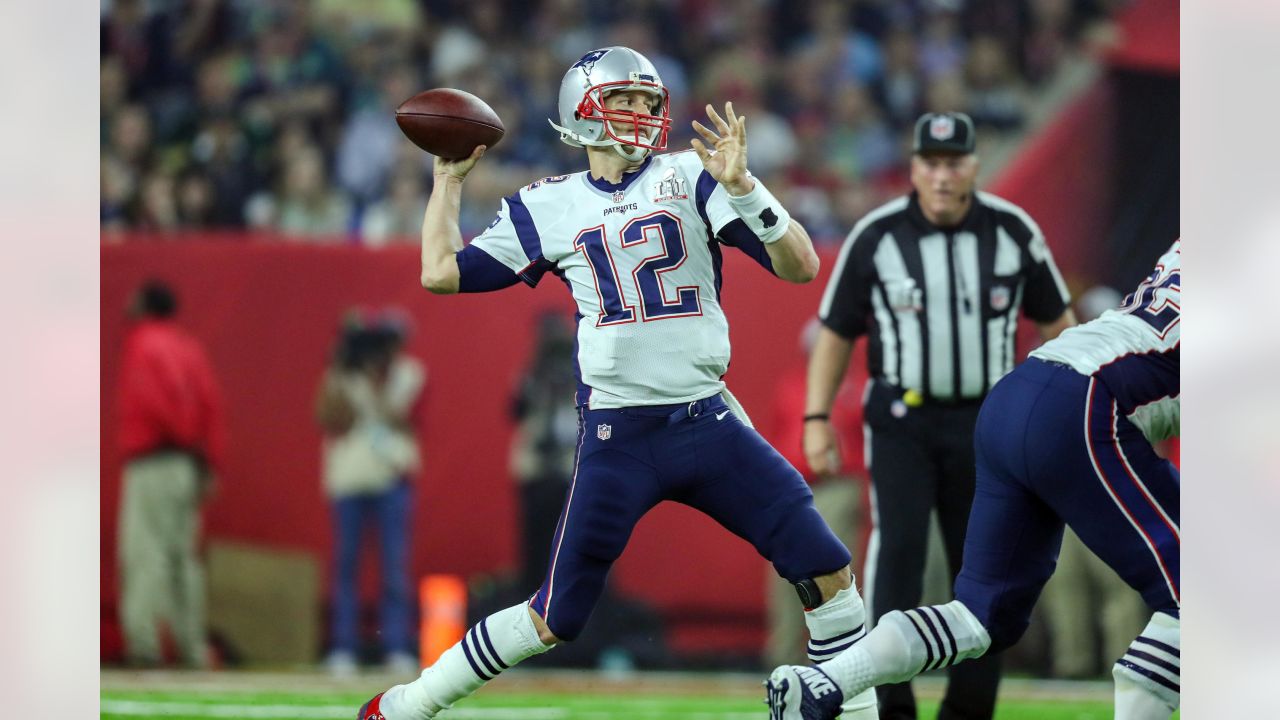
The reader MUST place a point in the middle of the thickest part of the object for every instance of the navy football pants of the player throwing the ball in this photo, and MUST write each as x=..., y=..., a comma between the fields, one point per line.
x=698, y=454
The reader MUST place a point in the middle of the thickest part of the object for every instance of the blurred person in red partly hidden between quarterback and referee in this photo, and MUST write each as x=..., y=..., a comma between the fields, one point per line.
x=842, y=499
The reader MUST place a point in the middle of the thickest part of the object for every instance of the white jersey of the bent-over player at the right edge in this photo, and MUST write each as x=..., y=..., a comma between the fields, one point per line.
x=1135, y=350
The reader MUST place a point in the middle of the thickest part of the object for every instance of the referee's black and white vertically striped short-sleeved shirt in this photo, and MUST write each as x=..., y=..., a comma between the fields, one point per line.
x=941, y=306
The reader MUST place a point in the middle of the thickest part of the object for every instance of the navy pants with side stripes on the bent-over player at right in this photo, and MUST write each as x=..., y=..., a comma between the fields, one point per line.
x=1053, y=448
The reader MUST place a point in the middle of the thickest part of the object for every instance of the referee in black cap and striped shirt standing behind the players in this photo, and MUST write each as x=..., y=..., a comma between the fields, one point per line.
x=935, y=280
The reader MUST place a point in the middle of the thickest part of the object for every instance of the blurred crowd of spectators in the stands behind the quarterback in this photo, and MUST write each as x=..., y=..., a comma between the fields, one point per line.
x=277, y=116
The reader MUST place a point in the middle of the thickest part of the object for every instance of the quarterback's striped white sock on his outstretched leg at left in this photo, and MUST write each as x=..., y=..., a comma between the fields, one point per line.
x=493, y=645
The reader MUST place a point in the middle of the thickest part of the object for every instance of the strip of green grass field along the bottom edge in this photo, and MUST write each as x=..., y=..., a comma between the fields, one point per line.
x=533, y=696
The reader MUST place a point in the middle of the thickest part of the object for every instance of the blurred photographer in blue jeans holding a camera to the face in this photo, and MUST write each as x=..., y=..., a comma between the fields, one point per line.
x=369, y=405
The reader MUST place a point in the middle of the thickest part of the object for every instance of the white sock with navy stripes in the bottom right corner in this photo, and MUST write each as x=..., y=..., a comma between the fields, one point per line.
x=1149, y=677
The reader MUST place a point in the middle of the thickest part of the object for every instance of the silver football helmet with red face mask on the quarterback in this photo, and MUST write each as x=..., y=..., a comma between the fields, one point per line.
x=586, y=121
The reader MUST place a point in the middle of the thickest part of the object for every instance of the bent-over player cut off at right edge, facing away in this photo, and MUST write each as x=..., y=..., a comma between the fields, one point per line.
x=1066, y=439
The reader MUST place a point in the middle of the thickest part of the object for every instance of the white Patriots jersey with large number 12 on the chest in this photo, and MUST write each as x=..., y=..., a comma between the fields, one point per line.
x=644, y=267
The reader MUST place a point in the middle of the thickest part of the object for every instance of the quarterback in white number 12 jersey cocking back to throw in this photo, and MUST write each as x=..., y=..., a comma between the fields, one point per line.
x=637, y=239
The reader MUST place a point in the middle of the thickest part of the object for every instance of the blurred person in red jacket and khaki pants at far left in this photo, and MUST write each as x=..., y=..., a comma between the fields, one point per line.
x=173, y=441
